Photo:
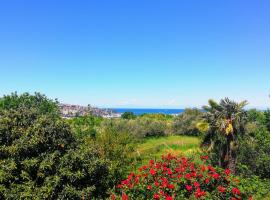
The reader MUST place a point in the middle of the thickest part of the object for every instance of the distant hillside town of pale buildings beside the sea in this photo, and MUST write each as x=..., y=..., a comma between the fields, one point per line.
x=70, y=111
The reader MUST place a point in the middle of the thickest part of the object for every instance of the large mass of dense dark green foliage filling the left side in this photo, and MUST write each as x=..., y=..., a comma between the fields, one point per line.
x=39, y=156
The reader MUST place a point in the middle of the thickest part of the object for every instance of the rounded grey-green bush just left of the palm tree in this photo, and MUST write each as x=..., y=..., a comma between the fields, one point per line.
x=185, y=123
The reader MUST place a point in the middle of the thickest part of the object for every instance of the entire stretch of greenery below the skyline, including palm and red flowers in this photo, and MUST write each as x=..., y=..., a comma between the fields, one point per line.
x=221, y=153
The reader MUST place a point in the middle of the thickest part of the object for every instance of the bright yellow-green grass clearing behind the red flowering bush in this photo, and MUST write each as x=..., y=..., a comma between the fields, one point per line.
x=153, y=148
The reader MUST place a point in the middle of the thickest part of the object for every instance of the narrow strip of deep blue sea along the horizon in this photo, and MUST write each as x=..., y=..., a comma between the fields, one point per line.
x=140, y=111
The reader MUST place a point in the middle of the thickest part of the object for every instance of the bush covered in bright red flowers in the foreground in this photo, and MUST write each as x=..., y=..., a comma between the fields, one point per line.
x=179, y=178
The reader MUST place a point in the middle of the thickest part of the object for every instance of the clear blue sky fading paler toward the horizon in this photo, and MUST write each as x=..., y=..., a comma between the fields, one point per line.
x=137, y=53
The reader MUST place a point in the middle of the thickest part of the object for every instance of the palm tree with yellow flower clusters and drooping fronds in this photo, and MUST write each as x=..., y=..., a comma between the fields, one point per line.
x=225, y=122
